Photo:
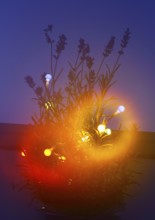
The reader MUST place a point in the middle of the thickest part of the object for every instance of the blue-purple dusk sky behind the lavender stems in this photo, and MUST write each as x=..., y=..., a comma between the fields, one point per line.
x=23, y=49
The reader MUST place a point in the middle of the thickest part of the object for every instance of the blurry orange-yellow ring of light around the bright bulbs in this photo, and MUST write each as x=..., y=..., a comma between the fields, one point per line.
x=119, y=147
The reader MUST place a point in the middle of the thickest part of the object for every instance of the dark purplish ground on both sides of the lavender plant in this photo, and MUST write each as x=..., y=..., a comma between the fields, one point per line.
x=16, y=205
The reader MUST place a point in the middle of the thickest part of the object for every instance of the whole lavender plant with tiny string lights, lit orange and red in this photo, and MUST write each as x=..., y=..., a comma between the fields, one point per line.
x=72, y=155
